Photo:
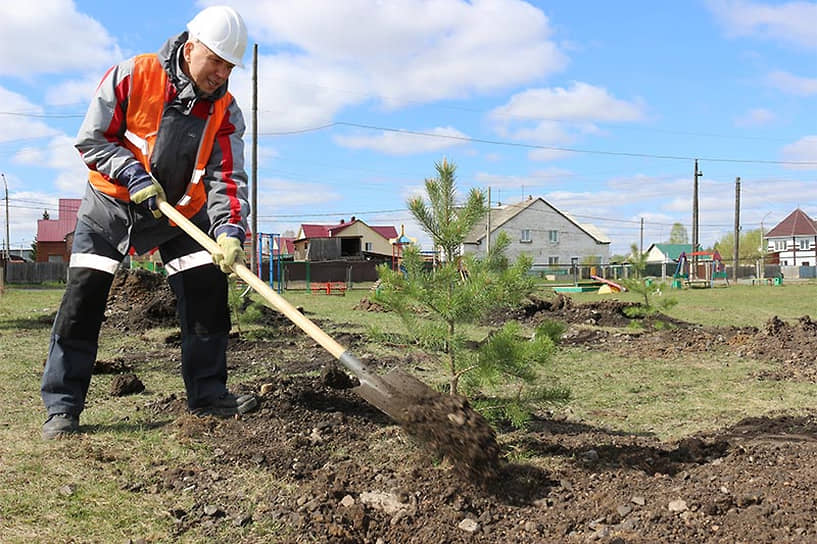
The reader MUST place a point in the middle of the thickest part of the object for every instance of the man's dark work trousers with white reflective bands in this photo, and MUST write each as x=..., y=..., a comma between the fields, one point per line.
x=201, y=292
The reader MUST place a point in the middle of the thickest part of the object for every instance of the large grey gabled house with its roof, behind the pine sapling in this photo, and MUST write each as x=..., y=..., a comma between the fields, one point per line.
x=537, y=228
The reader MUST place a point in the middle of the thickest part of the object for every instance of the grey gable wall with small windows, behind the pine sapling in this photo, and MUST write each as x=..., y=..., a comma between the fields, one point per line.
x=540, y=219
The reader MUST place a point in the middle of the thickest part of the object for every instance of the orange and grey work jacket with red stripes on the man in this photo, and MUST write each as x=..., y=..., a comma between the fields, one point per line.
x=146, y=109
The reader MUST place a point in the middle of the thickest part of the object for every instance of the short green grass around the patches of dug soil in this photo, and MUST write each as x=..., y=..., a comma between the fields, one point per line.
x=669, y=398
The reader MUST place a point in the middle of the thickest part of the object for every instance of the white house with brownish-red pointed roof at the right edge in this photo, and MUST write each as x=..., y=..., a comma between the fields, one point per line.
x=793, y=241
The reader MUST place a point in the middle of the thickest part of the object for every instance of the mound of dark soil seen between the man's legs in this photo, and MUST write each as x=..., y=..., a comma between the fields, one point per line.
x=140, y=300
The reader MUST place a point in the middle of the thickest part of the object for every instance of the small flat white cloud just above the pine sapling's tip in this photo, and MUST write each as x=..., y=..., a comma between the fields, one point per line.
x=398, y=143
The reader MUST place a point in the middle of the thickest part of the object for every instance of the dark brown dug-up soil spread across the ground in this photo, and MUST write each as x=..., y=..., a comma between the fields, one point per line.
x=351, y=475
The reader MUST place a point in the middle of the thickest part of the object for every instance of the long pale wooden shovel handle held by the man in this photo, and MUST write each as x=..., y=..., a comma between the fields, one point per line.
x=277, y=301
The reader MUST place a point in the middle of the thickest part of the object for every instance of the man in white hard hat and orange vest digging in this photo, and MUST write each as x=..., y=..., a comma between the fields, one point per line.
x=160, y=125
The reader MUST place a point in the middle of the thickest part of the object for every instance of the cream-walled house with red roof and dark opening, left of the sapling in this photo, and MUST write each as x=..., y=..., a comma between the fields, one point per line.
x=345, y=240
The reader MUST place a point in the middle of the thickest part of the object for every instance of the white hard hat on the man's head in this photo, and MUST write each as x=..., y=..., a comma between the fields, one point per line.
x=221, y=29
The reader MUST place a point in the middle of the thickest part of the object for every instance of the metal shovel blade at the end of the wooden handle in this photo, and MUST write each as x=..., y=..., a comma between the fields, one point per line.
x=394, y=392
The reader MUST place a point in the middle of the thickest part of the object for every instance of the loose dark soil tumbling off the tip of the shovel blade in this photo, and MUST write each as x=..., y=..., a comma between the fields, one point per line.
x=451, y=427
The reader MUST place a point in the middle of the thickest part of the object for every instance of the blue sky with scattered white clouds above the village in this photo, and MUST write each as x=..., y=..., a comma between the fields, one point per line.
x=599, y=107
